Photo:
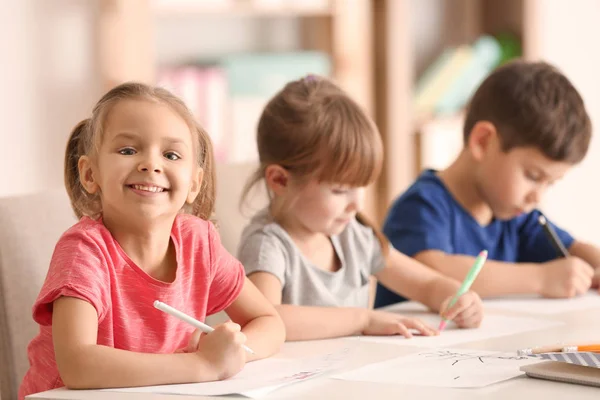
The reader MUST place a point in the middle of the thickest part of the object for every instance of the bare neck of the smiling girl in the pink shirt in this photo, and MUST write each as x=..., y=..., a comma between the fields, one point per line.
x=148, y=245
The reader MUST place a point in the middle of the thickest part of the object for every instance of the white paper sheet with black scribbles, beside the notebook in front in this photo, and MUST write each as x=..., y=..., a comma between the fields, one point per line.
x=459, y=368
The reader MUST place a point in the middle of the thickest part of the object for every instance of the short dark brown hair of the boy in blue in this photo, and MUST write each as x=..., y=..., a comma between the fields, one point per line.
x=533, y=104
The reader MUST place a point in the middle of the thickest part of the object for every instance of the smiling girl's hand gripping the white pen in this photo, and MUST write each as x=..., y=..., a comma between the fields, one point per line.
x=222, y=349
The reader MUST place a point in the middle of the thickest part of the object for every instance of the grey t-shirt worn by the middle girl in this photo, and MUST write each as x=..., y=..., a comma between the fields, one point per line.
x=265, y=246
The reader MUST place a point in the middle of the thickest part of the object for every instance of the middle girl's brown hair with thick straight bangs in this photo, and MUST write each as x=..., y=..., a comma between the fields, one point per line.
x=315, y=130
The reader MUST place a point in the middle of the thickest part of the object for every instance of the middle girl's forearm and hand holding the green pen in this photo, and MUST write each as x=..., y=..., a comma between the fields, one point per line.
x=416, y=281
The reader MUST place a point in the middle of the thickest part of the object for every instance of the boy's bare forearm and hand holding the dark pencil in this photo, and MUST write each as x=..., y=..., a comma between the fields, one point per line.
x=564, y=277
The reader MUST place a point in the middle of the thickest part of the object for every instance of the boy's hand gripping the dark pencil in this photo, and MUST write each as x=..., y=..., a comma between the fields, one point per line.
x=566, y=277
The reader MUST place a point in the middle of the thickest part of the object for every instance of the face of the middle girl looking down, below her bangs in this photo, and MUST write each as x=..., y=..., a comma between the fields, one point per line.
x=324, y=207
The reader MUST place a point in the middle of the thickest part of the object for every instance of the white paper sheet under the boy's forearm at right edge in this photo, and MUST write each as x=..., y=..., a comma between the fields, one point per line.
x=537, y=305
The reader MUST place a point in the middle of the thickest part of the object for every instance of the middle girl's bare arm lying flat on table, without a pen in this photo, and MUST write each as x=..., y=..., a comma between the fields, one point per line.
x=309, y=322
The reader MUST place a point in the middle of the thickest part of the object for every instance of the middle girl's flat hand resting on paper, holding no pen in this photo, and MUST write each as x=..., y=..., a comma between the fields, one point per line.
x=383, y=323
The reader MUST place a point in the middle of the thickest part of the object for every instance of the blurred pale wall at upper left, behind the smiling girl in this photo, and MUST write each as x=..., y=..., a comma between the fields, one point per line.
x=47, y=81
